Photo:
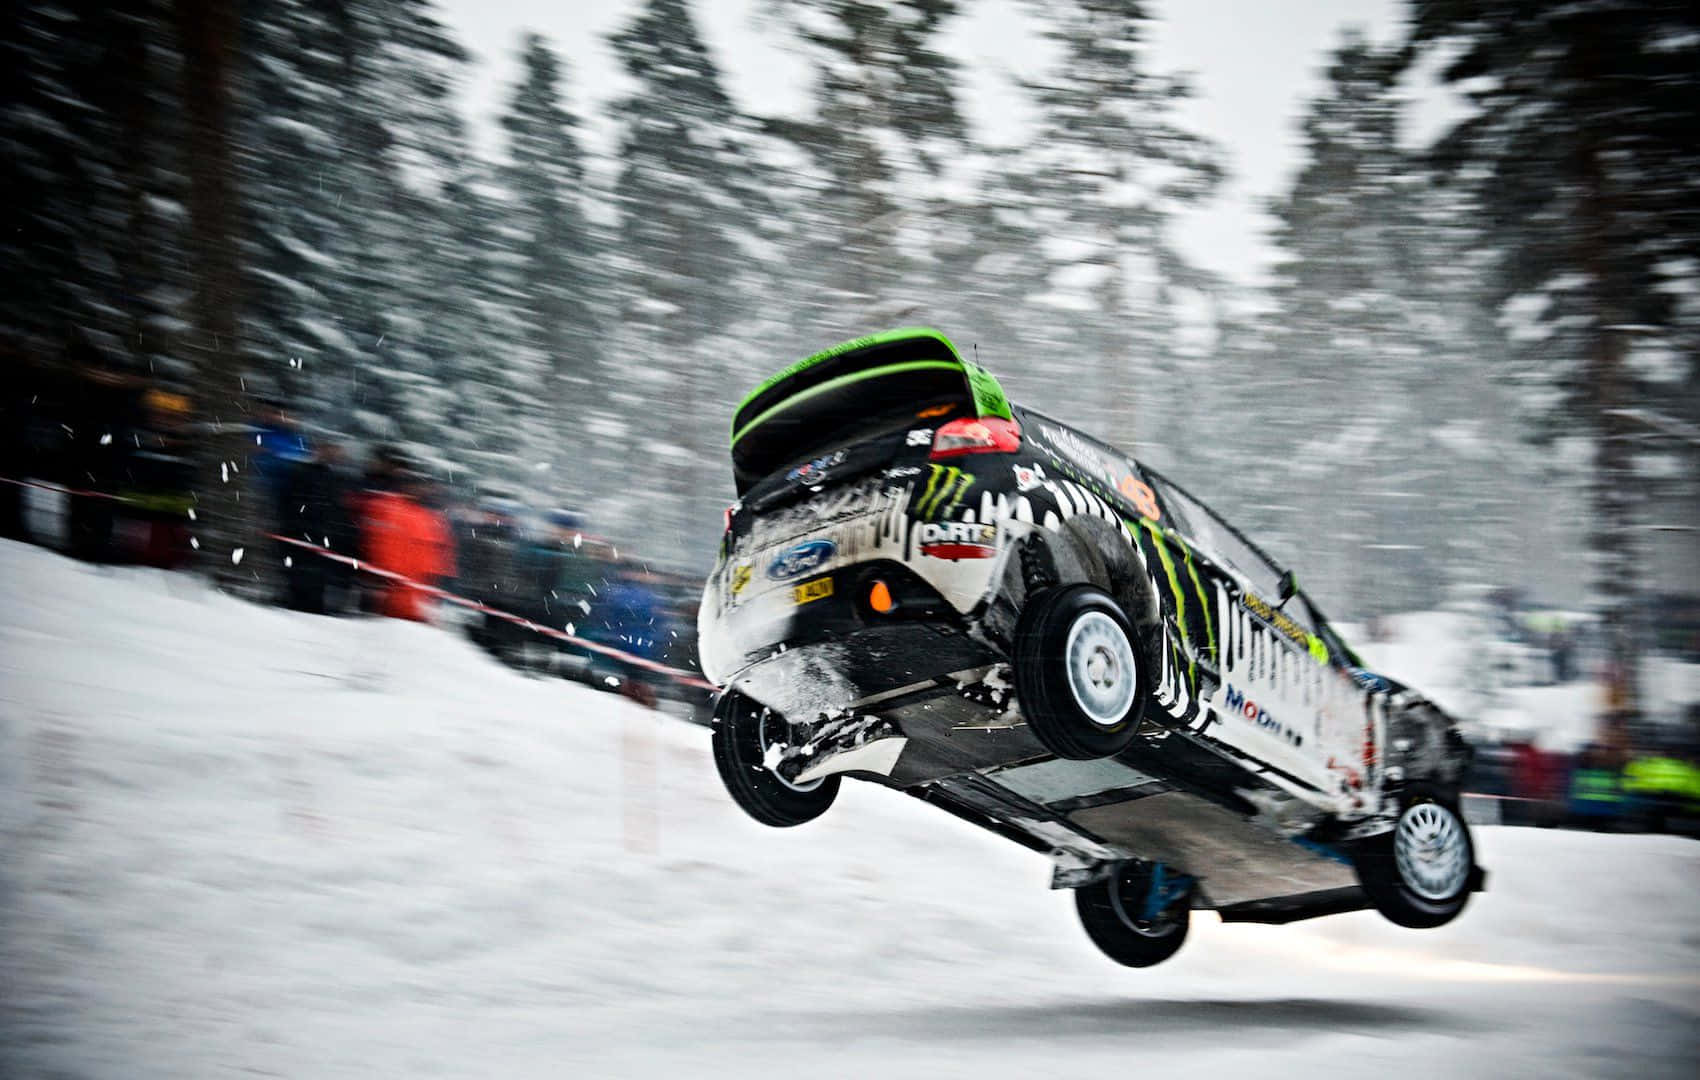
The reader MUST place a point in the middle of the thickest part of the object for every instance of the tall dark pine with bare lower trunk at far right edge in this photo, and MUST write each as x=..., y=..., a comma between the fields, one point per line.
x=1584, y=157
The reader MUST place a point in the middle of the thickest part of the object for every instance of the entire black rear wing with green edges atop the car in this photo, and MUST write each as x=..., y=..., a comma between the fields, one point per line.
x=810, y=402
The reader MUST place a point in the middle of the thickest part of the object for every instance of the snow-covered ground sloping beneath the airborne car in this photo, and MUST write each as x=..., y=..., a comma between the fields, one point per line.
x=242, y=841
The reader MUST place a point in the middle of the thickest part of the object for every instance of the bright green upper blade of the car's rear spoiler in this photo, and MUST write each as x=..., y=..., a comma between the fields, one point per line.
x=912, y=350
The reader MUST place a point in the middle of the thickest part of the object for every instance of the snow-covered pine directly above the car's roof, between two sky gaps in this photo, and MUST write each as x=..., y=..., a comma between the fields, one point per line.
x=1111, y=166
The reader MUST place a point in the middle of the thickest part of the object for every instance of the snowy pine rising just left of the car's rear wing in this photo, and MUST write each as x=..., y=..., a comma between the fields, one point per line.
x=686, y=271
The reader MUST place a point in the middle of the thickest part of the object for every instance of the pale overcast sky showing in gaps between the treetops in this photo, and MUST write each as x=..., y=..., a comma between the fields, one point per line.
x=1254, y=62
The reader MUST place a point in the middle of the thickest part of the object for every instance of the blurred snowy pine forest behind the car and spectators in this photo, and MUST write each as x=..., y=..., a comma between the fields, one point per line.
x=1478, y=363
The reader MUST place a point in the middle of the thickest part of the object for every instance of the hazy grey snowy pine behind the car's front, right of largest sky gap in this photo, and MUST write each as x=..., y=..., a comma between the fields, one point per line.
x=1378, y=293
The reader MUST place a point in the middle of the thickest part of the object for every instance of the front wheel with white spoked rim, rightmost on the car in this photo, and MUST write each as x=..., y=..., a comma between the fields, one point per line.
x=1420, y=875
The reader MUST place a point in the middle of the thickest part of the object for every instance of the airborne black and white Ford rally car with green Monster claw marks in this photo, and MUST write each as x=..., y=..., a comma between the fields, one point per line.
x=938, y=591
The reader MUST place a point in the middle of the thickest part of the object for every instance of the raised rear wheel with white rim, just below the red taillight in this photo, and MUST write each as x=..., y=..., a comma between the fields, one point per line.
x=1058, y=707
